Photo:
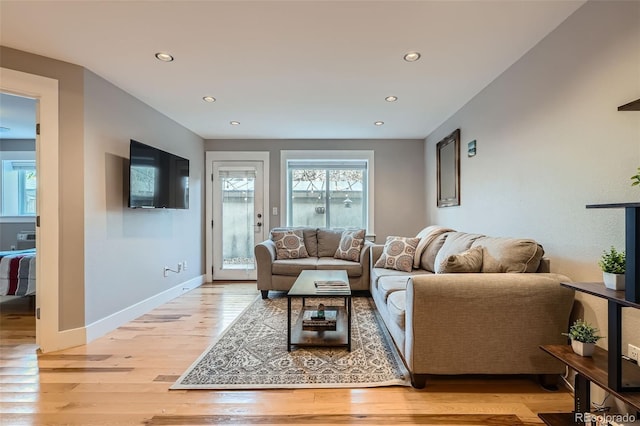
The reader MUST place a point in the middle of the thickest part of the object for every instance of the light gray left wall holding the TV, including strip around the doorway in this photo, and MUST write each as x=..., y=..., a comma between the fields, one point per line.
x=123, y=252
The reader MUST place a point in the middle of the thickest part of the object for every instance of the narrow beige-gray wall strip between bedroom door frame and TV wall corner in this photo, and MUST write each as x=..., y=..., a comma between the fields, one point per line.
x=71, y=180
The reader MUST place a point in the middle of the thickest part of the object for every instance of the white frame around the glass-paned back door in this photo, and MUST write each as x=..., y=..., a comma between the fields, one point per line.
x=210, y=157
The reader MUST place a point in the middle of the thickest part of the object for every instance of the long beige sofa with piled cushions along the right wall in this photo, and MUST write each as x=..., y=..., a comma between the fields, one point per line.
x=487, y=322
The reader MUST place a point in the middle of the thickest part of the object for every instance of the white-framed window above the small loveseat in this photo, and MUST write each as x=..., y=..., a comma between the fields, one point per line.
x=332, y=192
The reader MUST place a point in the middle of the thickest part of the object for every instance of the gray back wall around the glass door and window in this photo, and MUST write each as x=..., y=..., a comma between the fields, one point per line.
x=399, y=173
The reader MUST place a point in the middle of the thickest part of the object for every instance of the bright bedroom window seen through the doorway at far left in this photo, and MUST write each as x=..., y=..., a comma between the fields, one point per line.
x=18, y=188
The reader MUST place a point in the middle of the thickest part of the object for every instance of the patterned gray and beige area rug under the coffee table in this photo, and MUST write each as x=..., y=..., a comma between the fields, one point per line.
x=252, y=354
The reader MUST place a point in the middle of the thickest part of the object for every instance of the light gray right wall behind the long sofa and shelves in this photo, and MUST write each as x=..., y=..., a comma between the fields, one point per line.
x=550, y=141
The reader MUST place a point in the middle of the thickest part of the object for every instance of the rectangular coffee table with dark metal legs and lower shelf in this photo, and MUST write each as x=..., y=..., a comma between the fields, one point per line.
x=305, y=287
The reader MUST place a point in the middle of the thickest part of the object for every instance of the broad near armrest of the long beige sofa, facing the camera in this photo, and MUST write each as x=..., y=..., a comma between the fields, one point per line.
x=455, y=322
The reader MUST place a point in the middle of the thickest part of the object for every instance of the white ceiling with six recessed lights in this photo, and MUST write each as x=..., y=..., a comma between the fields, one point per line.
x=290, y=69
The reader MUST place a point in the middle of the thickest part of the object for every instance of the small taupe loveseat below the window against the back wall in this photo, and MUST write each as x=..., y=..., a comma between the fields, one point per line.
x=321, y=245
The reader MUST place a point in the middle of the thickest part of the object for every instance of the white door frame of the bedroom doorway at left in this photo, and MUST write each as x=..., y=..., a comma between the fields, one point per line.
x=45, y=90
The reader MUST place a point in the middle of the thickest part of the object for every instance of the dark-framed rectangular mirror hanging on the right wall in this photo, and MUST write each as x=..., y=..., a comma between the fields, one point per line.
x=448, y=162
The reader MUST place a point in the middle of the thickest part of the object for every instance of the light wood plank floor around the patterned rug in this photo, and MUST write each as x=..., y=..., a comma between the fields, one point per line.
x=123, y=379
